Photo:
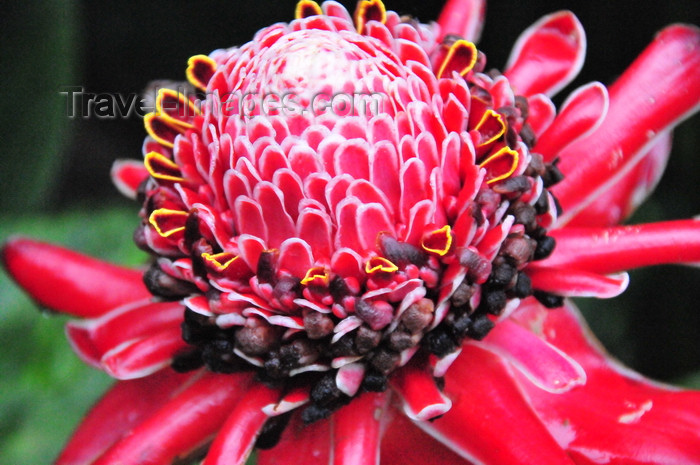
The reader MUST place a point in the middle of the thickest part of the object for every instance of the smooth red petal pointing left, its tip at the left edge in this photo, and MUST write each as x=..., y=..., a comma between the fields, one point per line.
x=69, y=282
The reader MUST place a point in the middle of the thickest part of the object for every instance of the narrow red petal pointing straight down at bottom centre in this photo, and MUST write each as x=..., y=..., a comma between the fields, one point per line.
x=356, y=430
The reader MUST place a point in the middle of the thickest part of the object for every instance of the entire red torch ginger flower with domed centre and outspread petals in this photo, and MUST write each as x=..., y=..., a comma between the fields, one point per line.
x=333, y=277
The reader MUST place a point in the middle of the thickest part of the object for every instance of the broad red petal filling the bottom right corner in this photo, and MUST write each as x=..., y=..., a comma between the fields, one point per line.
x=618, y=416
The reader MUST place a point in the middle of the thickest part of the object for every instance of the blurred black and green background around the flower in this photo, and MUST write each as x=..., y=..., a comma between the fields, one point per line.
x=54, y=174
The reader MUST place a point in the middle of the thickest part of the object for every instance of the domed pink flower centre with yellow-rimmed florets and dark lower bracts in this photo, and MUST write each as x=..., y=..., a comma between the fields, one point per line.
x=328, y=251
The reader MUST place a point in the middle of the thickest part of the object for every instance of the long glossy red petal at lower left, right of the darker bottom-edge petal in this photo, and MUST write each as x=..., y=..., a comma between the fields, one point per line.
x=182, y=424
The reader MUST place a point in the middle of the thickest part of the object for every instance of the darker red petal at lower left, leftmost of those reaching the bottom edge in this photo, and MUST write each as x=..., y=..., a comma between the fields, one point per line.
x=121, y=409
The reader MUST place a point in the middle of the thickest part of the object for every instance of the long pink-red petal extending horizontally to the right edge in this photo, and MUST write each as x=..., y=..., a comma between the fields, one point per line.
x=609, y=250
